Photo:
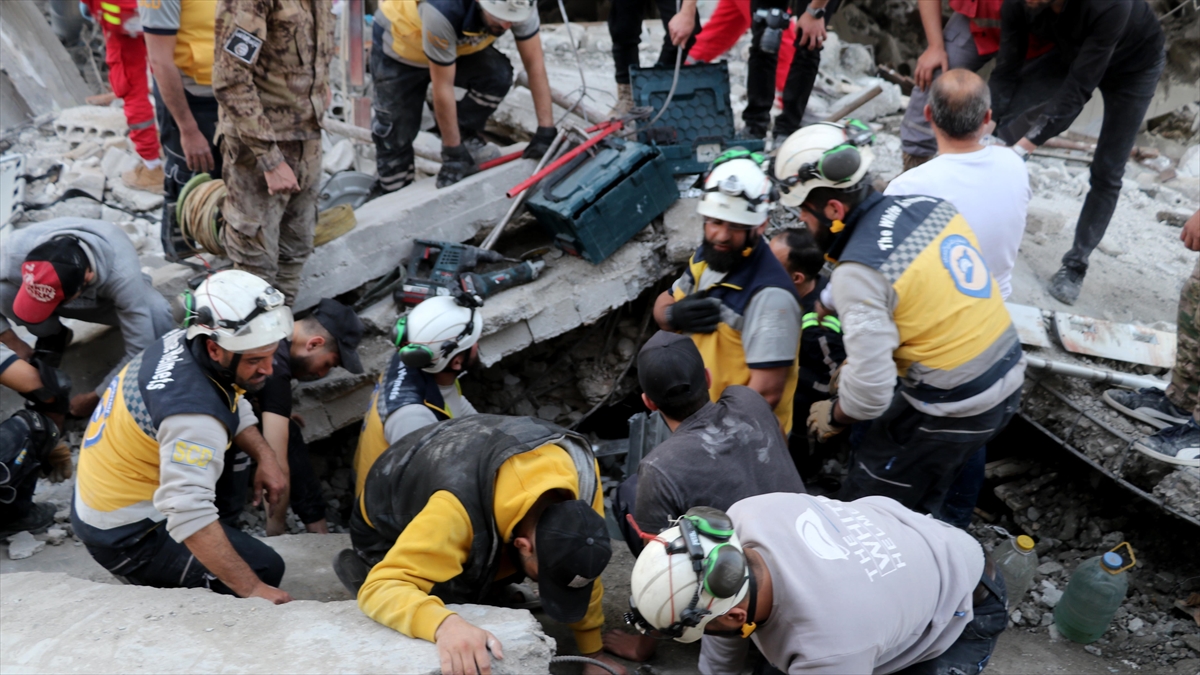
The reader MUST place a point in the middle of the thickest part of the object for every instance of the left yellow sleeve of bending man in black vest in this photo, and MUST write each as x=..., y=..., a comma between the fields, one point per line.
x=433, y=549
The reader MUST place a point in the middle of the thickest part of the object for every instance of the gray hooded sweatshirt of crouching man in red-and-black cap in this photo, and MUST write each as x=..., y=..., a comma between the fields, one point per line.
x=119, y=296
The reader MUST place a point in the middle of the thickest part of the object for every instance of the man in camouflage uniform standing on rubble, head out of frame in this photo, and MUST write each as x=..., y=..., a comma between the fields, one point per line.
x=271, y=76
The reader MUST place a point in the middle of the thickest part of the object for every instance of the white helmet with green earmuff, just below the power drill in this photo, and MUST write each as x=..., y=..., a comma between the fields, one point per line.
x=436, y=332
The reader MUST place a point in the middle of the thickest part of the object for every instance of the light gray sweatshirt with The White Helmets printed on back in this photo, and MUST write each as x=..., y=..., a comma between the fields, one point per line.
x=859, y=588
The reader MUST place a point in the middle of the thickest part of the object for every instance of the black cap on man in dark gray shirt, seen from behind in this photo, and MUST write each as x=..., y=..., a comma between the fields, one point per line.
x=670, y=369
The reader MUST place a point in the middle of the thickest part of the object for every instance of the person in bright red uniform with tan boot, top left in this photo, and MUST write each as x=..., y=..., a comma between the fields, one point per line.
x=127, y=58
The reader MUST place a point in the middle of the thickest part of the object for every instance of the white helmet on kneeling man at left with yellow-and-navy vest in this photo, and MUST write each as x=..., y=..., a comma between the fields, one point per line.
x=241, y=312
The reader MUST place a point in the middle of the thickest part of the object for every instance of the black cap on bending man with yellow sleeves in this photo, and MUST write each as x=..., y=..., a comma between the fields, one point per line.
x=573, y=551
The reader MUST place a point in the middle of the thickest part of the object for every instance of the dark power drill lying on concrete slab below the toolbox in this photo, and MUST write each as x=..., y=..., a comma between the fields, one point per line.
x=440, y=268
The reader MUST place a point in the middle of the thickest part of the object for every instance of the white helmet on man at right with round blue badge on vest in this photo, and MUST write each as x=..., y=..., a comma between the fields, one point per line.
x=823, y=156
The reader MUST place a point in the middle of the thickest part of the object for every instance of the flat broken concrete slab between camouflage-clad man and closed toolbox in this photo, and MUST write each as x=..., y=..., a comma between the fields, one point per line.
x=382, y=240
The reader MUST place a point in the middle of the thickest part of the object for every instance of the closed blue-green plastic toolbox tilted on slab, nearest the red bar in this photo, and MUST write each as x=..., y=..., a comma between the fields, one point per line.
x=595, y=205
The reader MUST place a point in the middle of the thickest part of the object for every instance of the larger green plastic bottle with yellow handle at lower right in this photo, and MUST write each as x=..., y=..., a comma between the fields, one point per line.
x=1094, y=596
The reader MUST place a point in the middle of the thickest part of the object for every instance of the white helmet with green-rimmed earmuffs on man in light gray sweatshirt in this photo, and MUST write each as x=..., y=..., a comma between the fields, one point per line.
x=668, y=596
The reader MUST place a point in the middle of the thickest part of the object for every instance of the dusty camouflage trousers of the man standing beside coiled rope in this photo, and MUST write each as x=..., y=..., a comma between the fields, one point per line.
x=271, y=236
